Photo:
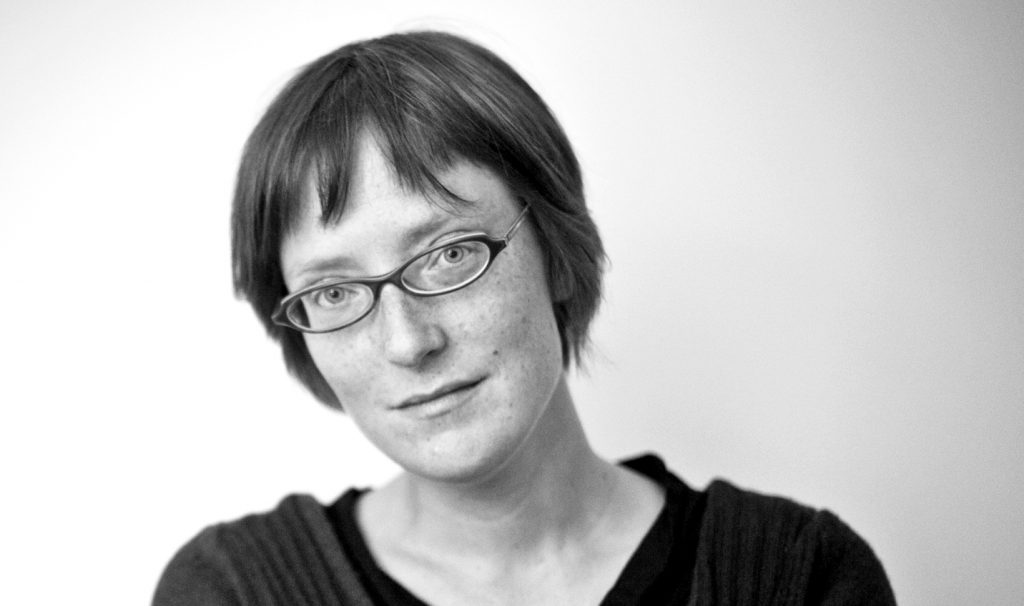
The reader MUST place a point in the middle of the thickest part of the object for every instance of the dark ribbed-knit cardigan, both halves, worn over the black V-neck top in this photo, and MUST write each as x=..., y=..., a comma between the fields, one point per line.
x=753, y=550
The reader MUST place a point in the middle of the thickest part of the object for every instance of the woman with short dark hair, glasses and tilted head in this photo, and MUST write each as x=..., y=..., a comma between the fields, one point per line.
x=409, y=224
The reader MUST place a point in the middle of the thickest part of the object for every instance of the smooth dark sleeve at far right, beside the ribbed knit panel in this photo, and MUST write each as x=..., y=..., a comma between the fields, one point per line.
x=845, y=571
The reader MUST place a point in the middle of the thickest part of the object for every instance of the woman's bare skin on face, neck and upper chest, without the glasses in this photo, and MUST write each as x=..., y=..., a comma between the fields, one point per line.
x=502, y=500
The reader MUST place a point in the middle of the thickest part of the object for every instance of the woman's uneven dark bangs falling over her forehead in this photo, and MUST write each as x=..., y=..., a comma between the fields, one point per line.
x=421, y=131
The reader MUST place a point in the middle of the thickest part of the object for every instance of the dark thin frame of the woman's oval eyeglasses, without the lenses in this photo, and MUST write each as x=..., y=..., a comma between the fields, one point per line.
x=376, y=284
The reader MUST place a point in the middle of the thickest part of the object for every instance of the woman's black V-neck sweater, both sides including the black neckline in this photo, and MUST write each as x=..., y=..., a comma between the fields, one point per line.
x=728, y=546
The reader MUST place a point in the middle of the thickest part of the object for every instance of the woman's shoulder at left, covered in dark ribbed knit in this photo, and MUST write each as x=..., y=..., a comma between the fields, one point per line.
x=237, y=562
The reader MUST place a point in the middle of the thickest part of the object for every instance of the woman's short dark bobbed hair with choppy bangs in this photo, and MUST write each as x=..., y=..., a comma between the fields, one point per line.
x=431, y=100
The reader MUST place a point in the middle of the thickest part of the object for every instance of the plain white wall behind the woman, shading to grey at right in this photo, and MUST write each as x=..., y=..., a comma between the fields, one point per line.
x=815, y=212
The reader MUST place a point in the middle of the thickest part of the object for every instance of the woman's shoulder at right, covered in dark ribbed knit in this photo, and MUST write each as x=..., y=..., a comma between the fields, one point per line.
x=785, y=552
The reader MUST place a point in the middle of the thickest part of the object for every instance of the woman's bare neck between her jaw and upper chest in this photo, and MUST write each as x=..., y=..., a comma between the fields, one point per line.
x=552, y=492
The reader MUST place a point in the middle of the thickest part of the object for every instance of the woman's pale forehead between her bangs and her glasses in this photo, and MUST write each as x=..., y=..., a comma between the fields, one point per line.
x=385, y=222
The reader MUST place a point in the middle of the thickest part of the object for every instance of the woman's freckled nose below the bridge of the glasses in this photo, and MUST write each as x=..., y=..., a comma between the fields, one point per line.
x=409, y=334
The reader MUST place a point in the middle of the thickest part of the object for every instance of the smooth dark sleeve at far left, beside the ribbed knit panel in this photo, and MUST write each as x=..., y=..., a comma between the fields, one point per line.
x=199, y=575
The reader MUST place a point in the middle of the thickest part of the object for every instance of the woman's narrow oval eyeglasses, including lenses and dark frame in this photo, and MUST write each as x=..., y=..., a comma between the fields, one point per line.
x=441, y=270
